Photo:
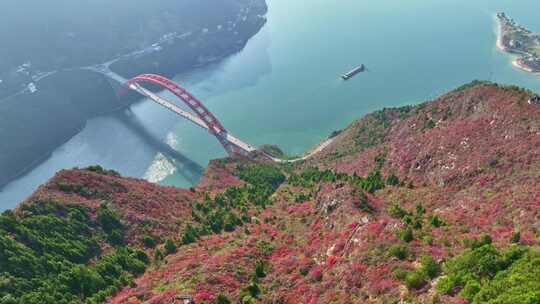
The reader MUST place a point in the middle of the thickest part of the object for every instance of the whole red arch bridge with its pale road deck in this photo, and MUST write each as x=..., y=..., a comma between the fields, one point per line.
x=201, y=116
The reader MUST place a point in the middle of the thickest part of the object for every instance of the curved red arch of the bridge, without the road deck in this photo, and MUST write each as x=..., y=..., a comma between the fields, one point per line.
x=211, y=122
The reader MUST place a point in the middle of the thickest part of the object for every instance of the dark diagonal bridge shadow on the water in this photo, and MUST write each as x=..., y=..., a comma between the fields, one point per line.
x=188, y=168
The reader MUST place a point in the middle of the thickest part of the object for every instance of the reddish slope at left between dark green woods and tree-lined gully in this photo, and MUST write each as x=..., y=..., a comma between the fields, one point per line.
x=145, y=208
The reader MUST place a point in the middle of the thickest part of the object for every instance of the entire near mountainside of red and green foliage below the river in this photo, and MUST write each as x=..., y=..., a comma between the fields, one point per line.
x=434, y=203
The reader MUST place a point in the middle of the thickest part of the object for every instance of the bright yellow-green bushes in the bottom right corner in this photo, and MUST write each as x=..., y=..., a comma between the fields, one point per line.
x=484, y=274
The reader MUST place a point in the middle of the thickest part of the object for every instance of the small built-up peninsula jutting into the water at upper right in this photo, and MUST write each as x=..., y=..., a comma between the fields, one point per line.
x=516, y=39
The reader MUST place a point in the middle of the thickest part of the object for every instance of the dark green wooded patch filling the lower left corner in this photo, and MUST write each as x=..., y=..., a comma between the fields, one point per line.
x=46, y=252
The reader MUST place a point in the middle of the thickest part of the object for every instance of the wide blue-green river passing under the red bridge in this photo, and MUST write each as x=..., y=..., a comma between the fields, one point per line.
x=284, y=87
